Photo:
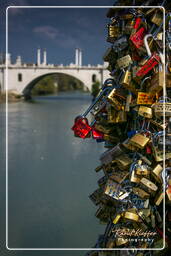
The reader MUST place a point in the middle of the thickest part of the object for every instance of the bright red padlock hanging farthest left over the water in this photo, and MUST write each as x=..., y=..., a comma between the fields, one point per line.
x=81, y=127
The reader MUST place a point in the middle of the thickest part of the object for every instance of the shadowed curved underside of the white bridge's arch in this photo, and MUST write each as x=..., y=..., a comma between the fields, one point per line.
x=28, y=87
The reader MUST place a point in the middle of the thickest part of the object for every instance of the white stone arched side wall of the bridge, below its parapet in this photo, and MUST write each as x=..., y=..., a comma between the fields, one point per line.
x=20, y=77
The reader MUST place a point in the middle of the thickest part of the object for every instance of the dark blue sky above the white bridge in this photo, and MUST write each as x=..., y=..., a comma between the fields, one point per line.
x=58, y=30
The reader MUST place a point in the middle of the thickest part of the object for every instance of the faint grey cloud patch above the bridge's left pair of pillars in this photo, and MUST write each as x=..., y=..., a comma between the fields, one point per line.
x=48, y=31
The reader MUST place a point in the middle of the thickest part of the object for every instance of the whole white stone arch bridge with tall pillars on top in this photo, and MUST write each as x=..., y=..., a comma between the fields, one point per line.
x=22, y=77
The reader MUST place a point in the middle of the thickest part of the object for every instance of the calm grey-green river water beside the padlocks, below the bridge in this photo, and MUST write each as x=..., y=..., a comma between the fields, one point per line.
x=51, y=174
